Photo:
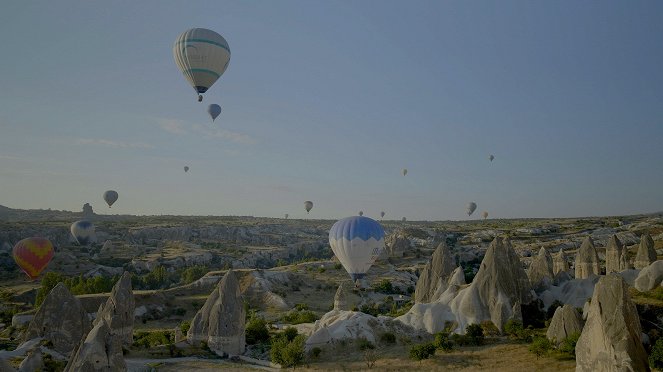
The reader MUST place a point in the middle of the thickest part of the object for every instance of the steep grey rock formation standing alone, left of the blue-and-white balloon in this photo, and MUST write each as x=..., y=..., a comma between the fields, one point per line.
x=220, y=322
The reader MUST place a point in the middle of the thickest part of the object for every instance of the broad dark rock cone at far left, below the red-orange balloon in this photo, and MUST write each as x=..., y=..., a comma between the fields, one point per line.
x=60, y=320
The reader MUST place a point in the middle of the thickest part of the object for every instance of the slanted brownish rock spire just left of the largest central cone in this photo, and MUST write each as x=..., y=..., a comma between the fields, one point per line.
x=435, y=275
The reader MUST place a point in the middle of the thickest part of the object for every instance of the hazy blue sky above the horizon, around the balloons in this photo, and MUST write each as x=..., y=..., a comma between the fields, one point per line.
x=328, y=100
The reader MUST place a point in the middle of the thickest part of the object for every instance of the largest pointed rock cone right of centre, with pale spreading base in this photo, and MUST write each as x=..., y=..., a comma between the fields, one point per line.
x=498, y=290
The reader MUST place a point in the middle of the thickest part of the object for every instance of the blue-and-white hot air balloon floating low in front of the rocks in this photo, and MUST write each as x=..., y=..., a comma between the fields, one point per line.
x=357, y=242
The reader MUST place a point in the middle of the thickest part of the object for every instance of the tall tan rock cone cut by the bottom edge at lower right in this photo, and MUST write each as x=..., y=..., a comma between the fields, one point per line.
x=611, y=338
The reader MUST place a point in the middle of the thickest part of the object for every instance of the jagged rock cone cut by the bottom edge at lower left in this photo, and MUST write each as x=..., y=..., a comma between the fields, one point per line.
x=100, y=351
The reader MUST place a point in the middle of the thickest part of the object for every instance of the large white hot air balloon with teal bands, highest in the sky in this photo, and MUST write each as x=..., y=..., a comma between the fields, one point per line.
x=203, y=56
